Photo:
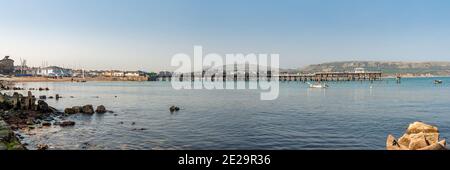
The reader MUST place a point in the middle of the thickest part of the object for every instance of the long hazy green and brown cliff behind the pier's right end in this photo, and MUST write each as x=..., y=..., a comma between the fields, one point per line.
x=388, y=68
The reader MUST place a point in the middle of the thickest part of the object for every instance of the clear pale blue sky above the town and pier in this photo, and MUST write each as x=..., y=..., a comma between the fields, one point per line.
x=145, y=34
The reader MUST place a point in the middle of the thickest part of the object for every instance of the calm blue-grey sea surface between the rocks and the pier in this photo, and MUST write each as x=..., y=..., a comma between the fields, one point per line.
x=348, y=115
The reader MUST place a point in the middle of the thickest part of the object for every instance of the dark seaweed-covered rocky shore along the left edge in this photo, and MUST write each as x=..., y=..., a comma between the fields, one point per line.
x=19, y=112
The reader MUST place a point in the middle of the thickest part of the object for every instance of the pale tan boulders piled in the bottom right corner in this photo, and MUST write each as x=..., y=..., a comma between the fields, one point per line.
x=418, y=136
